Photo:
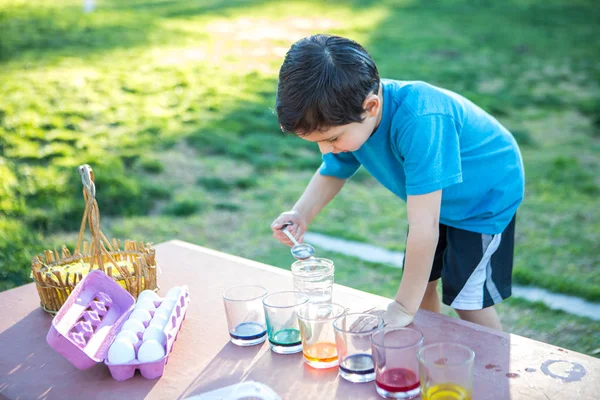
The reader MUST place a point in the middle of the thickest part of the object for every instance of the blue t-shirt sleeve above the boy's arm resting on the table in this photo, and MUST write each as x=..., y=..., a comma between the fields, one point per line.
x=430, y=149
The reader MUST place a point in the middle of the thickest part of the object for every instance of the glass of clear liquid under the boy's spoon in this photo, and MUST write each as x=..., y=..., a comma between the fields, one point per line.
x=314, y=277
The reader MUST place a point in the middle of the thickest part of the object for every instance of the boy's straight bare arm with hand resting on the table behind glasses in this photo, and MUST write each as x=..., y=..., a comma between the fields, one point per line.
x=423, y=233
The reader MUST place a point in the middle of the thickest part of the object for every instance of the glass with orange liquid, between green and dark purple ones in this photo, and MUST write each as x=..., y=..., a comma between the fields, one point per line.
x=318, y=336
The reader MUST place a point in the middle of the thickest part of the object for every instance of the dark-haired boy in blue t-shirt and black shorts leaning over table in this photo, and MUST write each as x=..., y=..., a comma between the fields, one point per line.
x=459, y=171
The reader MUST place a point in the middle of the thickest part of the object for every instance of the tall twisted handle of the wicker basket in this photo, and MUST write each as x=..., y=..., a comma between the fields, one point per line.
x=92, y=215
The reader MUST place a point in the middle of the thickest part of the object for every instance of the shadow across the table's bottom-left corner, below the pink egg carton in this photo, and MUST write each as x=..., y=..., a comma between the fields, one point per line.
x=30, y=368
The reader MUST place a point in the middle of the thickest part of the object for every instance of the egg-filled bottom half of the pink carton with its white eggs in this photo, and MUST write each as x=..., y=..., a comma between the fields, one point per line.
x=146, y=338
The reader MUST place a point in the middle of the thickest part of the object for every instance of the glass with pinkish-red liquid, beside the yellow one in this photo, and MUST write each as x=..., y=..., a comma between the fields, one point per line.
x=395, y=359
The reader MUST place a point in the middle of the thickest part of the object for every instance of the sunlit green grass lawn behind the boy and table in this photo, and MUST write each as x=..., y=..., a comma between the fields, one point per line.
x=171, y=103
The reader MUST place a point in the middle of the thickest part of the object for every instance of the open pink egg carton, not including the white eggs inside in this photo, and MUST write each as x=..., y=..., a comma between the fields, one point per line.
x=88, y=322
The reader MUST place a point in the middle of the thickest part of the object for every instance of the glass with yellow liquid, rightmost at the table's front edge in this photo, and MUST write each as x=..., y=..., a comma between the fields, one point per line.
x=446, y=371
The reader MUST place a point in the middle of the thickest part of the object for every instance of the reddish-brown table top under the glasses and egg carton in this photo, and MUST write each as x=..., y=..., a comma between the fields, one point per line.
x=506, y=366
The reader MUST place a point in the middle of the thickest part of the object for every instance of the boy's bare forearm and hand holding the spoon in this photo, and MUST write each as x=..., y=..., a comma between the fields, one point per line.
x=319, y=192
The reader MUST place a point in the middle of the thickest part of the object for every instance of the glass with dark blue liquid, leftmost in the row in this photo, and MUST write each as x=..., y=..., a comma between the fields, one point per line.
x=245, y=314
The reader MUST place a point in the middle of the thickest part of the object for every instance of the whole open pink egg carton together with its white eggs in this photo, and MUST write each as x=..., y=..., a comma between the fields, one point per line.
x=99, y=313
